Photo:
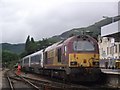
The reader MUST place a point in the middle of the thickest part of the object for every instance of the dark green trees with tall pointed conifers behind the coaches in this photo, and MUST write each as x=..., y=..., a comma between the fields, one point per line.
x=31, y=46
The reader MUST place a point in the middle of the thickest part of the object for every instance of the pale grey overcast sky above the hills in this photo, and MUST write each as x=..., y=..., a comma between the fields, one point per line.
x=46, y=18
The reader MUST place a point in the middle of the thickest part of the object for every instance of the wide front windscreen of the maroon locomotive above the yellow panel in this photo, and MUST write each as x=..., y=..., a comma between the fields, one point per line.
x=83, y=46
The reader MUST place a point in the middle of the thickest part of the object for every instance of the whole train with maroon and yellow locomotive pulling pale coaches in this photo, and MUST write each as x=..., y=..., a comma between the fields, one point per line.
x=75, y=58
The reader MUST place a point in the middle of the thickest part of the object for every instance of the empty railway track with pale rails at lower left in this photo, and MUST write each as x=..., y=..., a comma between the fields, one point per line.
x=16, y=82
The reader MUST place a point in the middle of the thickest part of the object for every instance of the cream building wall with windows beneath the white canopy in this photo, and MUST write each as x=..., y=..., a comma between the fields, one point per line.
x=108, y=48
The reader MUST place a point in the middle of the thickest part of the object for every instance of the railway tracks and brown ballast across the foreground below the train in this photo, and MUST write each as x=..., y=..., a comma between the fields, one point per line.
x=45, y=84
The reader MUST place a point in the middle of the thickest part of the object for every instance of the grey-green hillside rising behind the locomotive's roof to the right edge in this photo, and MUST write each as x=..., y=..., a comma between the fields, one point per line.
x=93, y=30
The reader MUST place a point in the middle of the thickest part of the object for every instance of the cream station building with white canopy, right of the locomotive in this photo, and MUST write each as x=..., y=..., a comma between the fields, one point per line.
x=109, y=45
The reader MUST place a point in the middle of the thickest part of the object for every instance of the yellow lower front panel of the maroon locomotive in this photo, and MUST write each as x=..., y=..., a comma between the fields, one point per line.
x=84, y=60
